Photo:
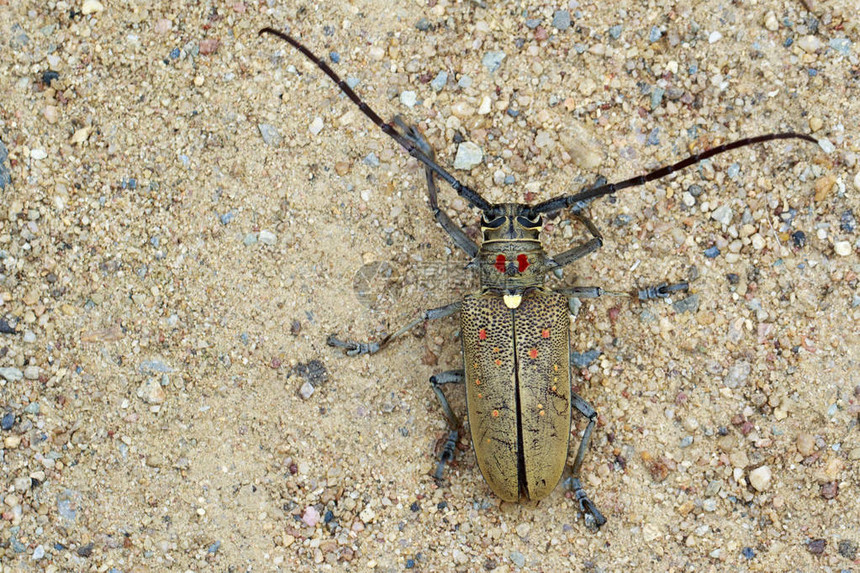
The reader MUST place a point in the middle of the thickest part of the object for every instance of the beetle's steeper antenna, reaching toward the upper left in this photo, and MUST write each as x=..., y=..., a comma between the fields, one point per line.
x=465, y=192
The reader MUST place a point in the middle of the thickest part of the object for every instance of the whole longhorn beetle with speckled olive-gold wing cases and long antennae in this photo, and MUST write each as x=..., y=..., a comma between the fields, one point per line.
x=514, y=330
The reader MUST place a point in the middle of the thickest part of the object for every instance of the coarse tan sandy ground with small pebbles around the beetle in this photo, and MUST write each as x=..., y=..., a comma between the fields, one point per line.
x=170, y=277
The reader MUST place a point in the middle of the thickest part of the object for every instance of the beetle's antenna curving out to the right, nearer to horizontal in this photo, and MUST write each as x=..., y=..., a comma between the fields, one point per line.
x=565, y=201
